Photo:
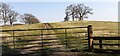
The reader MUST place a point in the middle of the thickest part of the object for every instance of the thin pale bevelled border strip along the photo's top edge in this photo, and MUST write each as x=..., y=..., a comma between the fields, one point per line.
x=60, y=0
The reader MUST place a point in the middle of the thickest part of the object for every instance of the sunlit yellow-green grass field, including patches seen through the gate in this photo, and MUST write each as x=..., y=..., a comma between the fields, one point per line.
x=100, y=28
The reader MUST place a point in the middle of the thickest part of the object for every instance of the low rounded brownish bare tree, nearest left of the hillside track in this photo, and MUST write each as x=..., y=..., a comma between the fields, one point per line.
x=29, y=18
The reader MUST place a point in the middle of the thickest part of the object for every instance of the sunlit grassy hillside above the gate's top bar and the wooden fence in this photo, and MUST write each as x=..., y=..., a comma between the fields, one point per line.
x=100, y=28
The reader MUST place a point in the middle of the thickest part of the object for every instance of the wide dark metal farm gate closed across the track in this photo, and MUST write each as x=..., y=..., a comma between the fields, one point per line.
x=46, y=41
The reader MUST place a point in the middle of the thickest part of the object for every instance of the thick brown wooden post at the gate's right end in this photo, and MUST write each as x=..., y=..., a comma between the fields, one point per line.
x=90, y=39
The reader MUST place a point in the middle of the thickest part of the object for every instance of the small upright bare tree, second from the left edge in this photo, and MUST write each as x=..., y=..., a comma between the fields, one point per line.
x=12, y=16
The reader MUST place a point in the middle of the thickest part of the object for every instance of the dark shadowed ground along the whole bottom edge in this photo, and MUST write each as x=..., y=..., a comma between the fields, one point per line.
x=49, y=52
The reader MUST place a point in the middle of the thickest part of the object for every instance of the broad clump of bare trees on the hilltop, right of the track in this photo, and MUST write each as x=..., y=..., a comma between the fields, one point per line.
x=79, y=11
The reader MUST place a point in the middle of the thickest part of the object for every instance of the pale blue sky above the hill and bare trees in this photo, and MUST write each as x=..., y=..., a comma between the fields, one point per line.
x=54, y=11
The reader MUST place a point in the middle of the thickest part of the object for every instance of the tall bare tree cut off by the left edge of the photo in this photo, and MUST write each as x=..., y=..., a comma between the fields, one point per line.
x=4, y=10
